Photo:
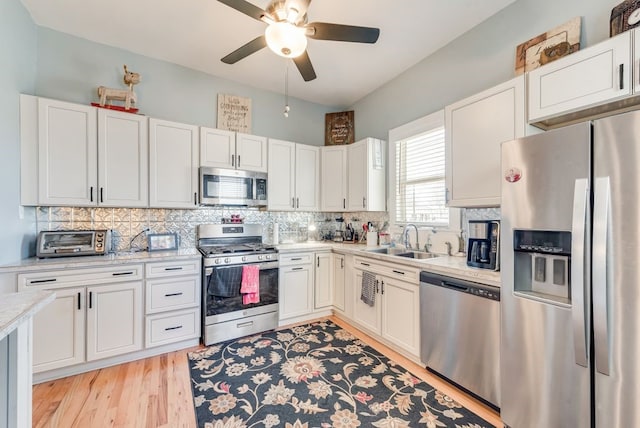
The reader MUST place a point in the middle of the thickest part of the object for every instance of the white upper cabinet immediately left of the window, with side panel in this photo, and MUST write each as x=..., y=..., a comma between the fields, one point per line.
x=366, y=175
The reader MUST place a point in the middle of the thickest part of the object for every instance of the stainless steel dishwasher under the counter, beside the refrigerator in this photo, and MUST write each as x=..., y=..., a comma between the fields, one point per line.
x=460, y=332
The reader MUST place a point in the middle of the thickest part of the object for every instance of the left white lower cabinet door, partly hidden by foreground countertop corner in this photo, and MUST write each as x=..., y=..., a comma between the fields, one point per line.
x=58, y=331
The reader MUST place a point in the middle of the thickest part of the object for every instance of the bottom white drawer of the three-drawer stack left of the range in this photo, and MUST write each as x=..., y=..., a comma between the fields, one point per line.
x=172, y=327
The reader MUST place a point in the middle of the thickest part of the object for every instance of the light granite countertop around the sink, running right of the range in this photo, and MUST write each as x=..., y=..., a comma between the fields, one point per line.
x=453, y=266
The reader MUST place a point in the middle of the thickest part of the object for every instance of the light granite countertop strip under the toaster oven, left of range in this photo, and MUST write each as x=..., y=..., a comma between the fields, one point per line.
x=35, y=264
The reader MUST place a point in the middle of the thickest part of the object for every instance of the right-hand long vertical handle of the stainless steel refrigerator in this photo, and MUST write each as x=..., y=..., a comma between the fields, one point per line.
x=601, y=219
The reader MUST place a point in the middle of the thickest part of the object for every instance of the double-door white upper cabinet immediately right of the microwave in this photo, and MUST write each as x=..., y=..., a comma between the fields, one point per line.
x=294, y=176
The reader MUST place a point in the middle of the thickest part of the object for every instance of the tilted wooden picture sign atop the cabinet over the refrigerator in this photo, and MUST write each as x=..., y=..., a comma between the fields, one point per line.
x=549, y=46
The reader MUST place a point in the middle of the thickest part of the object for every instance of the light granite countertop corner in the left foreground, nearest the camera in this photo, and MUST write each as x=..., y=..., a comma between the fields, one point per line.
x=15, y=308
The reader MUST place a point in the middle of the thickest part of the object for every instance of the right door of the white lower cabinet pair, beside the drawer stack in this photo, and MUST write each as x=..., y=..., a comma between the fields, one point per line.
x=114, y=319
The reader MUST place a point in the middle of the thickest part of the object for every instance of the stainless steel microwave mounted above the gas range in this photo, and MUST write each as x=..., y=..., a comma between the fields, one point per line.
x=220, y=186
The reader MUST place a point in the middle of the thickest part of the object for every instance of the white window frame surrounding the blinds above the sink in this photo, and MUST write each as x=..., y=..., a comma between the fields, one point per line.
x=403, y=132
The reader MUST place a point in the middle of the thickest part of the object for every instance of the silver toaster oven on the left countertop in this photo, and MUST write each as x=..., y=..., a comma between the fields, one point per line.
x=63, y=243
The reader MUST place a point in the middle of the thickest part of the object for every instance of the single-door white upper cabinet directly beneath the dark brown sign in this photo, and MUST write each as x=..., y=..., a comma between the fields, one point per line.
x=334, y=178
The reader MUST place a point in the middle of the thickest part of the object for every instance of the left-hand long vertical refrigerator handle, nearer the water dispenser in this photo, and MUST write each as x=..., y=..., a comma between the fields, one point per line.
x=578, y=246
